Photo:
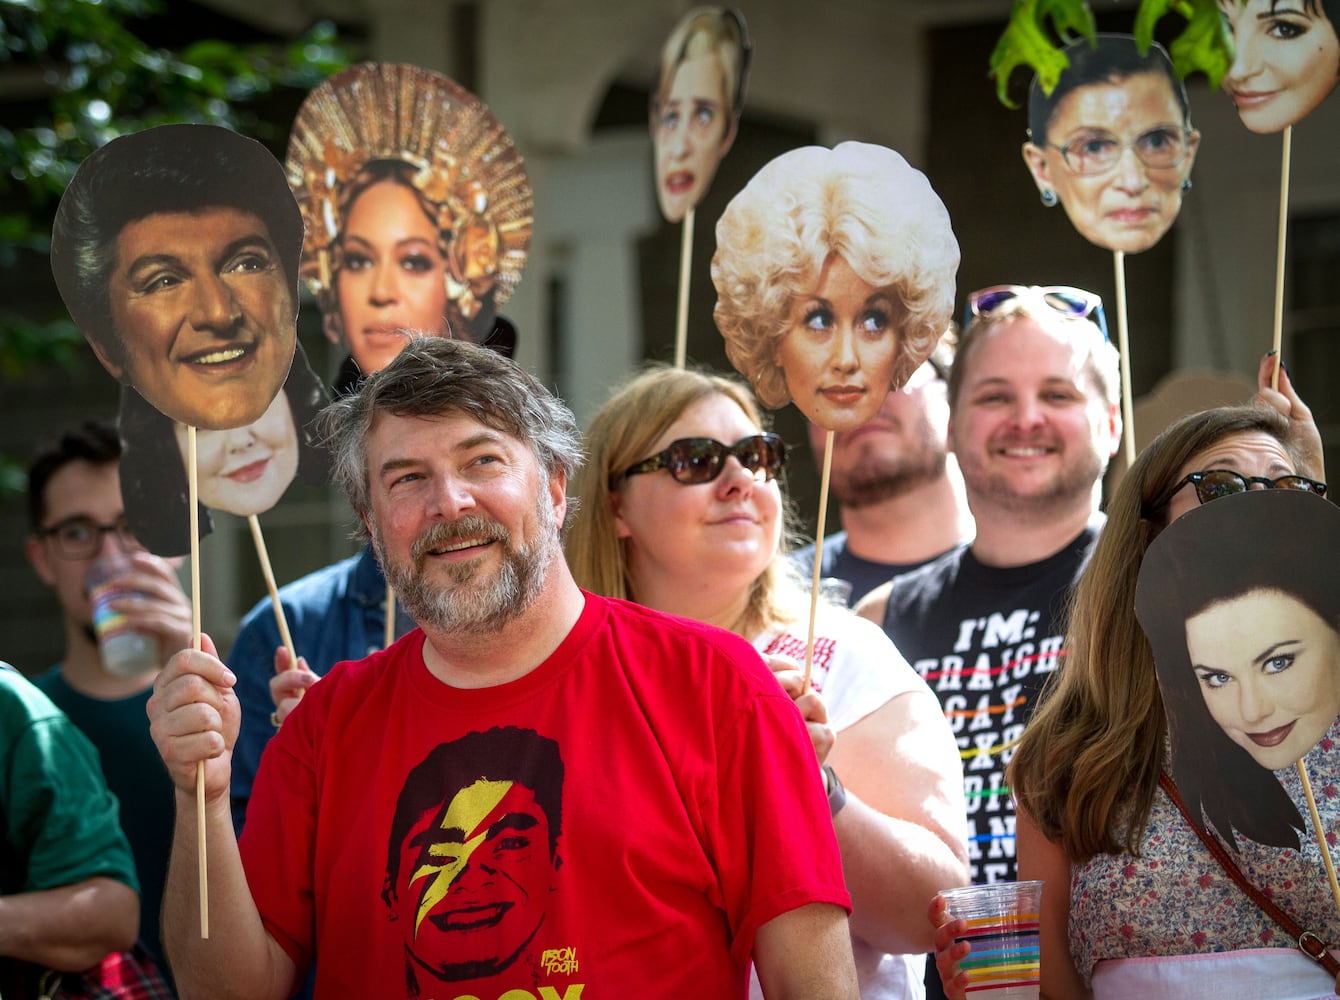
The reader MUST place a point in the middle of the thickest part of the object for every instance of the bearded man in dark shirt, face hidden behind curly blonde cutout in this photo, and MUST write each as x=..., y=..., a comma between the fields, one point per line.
x=901, y=494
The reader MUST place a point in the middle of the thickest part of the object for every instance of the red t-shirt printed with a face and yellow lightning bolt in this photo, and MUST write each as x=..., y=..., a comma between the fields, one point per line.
x=618, y=822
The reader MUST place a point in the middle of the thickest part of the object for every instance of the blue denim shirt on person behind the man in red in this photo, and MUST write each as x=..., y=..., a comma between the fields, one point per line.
x=337, y=613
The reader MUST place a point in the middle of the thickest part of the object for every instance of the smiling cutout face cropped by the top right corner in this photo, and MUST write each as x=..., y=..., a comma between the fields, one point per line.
x=1287, y=60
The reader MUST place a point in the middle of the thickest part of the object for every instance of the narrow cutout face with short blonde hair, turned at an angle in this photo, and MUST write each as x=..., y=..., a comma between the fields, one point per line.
x=696, y=105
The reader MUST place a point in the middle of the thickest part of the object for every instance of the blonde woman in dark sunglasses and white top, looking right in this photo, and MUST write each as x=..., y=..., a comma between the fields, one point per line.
x=681, y=511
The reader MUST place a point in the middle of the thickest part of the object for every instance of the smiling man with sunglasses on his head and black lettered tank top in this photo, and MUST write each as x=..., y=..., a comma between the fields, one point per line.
x=1034, y=423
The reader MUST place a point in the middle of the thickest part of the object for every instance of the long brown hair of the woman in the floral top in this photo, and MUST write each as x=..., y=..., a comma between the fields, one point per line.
x=1087, y=767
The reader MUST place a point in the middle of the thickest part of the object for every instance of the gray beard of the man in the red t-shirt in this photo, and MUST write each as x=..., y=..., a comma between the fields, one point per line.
x=472, y=605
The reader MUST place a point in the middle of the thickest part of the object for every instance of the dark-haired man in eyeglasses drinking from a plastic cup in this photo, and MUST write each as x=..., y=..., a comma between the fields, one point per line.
x=76, y=514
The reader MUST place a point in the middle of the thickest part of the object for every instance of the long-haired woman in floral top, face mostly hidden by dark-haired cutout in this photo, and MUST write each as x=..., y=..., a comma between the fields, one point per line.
x=1136, y=905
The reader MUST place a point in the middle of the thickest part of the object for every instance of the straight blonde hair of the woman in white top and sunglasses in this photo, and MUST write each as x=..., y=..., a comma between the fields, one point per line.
x=624, y=434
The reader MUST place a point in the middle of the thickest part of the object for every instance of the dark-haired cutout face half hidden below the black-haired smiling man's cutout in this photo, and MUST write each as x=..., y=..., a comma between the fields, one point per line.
x=243, y=471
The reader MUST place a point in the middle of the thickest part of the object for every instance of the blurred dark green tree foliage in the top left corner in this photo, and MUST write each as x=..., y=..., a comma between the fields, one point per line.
x=94, y=80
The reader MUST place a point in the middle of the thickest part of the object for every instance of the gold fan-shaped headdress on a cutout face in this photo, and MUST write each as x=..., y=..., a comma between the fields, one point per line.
x=459, y=159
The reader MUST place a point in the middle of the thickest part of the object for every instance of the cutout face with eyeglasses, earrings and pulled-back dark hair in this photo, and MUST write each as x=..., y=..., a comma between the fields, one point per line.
x=1113, y=144
